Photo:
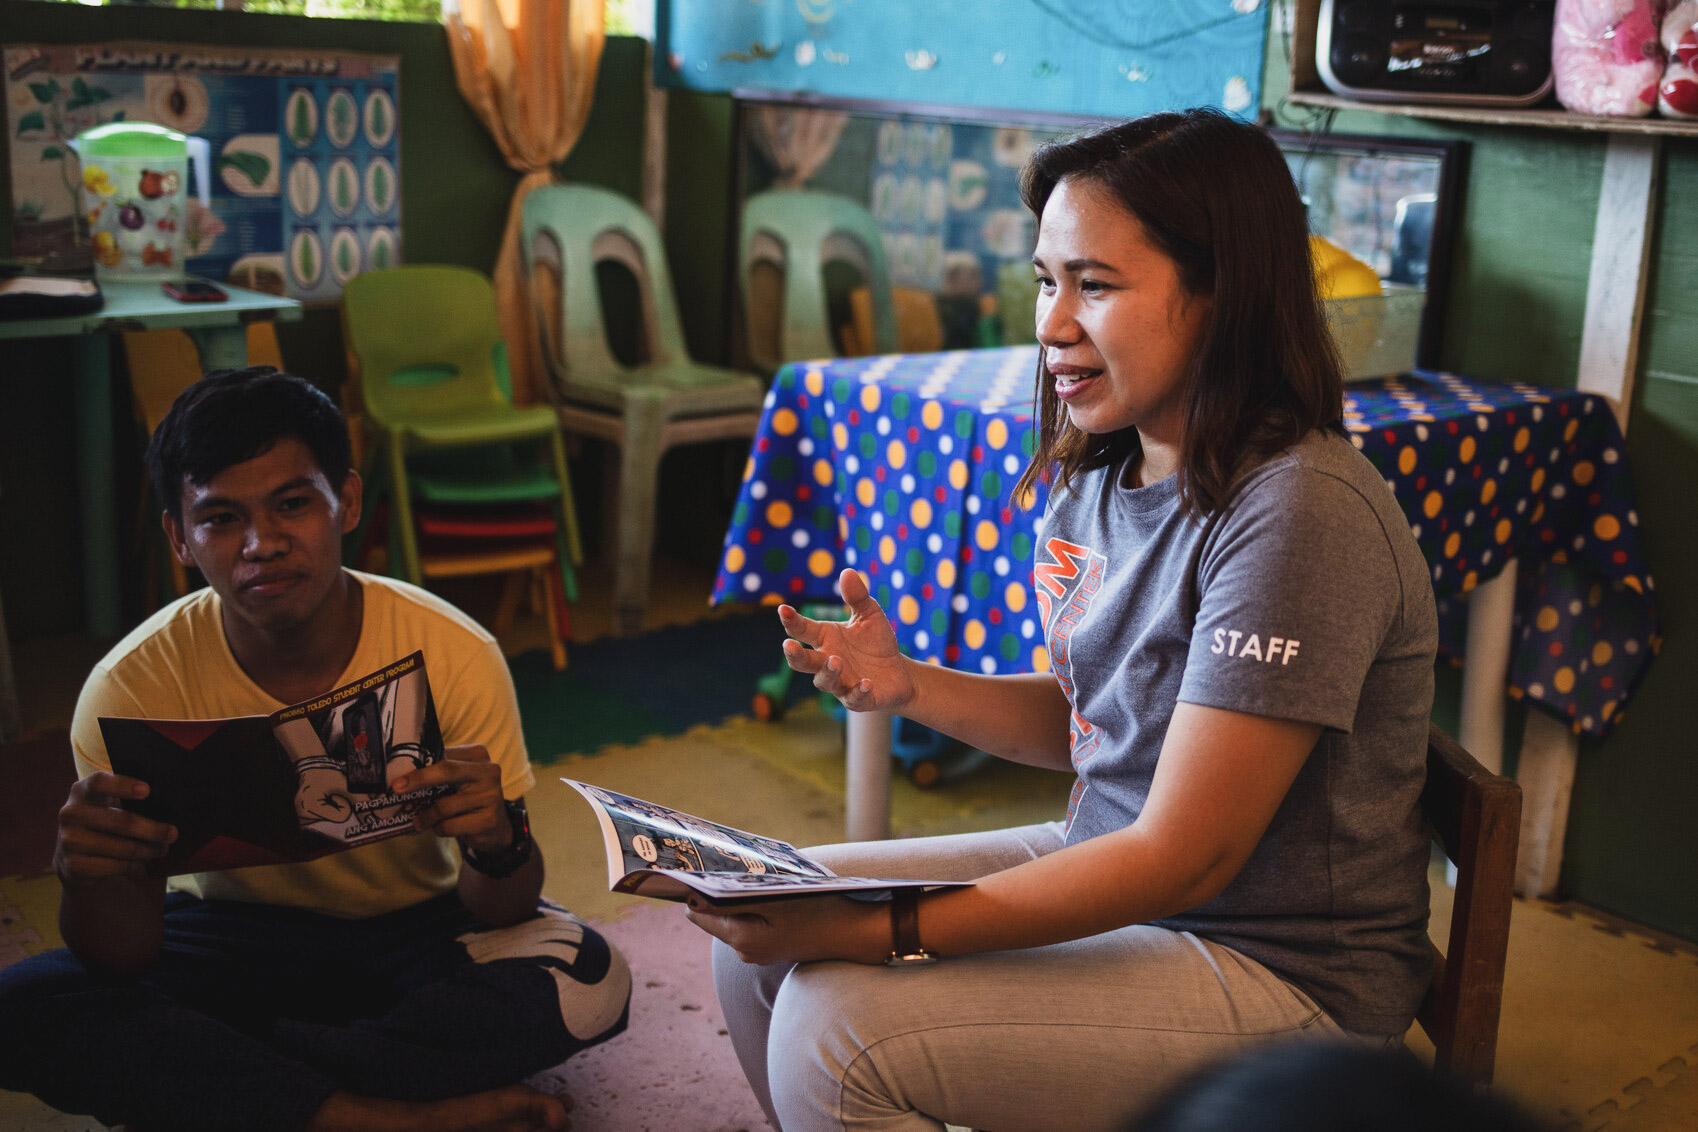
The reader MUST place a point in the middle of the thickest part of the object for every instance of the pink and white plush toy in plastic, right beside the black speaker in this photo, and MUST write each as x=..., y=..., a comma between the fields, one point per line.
x=1607, y=57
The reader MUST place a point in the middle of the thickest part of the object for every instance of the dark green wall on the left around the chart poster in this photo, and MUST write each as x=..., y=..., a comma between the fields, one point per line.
x=454, y=201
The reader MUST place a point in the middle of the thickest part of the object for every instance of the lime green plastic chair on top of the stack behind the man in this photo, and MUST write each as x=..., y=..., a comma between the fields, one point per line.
x=436, y=388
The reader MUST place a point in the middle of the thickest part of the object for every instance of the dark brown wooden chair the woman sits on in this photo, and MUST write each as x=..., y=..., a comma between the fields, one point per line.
x=1476, y=817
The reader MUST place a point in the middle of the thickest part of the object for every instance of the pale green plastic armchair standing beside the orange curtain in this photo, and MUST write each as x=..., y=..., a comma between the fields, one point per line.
x=648, y=408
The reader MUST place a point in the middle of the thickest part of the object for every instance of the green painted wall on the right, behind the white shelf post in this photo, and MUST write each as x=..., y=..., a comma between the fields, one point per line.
x=1517, y=311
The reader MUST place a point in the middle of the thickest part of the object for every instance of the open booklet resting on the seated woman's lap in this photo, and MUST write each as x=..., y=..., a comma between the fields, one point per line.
x=656, y=851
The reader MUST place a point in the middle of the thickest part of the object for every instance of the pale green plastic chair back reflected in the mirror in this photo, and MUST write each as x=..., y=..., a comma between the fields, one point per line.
x=801, y=232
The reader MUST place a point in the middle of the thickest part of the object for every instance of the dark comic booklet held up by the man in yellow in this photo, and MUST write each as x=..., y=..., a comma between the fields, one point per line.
x=306, y=782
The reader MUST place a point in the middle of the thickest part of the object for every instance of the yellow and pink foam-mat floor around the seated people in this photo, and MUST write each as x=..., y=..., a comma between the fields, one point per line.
x=1600, y=1019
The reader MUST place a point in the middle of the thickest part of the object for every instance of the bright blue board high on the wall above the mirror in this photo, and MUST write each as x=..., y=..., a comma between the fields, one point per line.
x=1108, y=59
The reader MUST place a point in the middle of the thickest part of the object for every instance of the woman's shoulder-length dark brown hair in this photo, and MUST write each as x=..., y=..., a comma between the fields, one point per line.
x=1215, y=196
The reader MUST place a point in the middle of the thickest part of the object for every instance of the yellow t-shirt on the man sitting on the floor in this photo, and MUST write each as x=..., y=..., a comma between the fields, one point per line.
x=177, y=666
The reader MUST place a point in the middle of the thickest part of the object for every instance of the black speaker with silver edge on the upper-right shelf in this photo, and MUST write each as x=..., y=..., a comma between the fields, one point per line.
x=1458, y=52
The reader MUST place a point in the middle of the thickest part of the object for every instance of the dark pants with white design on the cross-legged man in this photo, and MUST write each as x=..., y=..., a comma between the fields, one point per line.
x=252, y=1016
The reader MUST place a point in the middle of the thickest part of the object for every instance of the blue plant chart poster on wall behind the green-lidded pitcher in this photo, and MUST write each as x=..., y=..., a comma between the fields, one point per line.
x=306, y=154
